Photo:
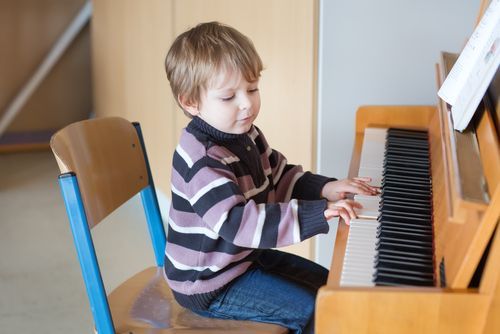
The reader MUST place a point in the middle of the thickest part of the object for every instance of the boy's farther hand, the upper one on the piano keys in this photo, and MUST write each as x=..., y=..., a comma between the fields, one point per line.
x=336, y=190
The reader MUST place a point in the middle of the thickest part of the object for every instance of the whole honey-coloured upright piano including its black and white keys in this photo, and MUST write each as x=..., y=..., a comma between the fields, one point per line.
x=424, y=256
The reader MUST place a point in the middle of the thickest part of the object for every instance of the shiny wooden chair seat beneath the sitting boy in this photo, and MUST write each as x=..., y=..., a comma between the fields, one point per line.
x=145, y=301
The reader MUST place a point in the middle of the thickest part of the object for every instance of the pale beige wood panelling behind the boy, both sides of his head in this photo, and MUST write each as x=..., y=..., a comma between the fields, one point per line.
x=130, y=41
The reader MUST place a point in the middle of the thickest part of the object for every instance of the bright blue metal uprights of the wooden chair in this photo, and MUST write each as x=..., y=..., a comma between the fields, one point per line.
x=96, y=292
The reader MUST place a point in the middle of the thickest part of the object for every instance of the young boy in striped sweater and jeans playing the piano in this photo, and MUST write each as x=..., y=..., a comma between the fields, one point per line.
x=234, y=198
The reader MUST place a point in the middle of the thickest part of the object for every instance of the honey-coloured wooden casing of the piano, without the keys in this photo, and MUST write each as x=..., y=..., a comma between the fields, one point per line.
x=462, y=231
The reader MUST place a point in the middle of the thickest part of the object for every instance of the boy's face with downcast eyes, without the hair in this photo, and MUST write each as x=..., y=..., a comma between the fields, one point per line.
x=230, y=105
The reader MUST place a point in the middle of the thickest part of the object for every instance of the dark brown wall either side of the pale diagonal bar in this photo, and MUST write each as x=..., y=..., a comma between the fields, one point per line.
x=28, y=30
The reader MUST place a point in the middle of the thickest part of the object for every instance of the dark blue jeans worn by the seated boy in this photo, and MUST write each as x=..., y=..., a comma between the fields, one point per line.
x=279, y=288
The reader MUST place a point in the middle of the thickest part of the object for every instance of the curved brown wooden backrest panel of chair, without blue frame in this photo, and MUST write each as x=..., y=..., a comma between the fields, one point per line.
x=107, y=157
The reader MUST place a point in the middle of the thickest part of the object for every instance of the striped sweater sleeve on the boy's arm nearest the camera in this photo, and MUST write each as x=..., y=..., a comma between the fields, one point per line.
x=214, y=195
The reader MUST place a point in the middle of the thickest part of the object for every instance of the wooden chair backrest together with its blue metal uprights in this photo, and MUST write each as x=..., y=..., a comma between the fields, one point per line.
x=103, y=164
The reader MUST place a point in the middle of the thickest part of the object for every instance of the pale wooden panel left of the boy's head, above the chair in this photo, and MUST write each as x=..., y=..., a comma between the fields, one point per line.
x=130, y=41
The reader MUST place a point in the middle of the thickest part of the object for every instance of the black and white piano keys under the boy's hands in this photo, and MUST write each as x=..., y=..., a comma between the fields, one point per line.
x=390, y=243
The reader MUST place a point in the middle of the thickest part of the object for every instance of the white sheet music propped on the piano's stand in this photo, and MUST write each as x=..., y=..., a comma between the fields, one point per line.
x=469, y=78
